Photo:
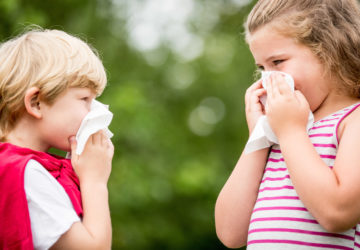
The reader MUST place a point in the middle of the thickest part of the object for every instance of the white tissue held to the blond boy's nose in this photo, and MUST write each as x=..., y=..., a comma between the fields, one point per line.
x=97, y=119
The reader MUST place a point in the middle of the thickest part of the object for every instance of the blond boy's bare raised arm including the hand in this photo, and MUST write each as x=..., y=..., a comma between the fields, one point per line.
x=93, y=167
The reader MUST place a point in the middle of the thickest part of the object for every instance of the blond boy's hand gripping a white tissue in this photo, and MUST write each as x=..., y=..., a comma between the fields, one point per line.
x=94, y=164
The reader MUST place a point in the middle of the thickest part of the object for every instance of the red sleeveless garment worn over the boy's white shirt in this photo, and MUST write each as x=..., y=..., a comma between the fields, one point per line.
x=15, y=228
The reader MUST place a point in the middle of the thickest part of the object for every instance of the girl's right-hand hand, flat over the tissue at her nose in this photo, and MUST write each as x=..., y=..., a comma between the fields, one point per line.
x=286, y=110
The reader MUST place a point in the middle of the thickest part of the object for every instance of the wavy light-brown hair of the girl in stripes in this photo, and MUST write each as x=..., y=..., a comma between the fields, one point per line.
x=330, y=28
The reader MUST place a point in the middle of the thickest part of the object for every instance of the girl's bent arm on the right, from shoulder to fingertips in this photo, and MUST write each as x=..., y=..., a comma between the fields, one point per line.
x=331, y=196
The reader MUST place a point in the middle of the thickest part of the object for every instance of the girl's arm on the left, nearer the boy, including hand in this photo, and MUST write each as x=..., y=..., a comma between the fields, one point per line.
x=237, y=198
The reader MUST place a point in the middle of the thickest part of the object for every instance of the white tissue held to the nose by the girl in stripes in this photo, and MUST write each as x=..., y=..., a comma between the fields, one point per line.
x=263, y=136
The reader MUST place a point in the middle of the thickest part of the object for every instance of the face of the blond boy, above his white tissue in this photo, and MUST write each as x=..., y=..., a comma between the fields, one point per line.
x=62, y=119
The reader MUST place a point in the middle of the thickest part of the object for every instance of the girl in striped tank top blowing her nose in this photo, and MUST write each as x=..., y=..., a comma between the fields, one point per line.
x=302, y=192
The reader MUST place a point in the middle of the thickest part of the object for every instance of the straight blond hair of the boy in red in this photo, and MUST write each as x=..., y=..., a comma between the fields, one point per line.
x=51, y=60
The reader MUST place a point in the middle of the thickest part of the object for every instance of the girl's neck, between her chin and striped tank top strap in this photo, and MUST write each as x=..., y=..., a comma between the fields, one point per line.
x=333, y=102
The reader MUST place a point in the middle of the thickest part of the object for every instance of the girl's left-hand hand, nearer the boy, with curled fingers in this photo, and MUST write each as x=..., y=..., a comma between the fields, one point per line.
x=253, y=107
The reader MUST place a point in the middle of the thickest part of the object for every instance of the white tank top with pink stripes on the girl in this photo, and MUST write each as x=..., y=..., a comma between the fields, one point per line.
x=279, y=219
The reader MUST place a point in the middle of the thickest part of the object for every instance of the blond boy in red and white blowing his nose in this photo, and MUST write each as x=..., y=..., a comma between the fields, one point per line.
x=48, y=81
